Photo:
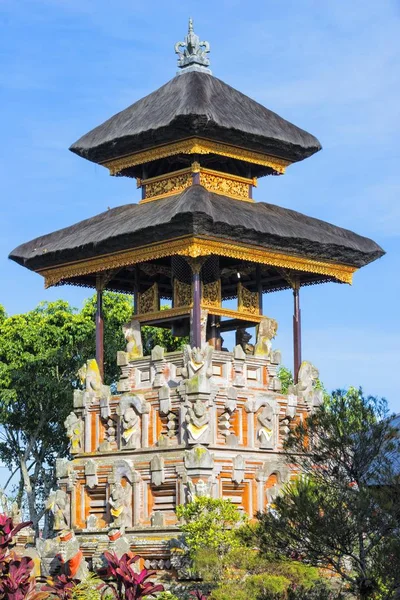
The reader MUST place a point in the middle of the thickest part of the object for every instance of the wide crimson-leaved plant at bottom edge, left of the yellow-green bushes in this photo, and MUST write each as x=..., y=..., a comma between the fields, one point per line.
x=129, y=584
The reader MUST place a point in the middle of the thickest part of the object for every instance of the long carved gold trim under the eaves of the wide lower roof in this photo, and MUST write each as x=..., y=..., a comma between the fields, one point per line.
x=195, y=247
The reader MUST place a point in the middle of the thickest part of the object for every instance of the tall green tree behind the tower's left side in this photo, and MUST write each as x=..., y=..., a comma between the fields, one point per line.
x=40, y=354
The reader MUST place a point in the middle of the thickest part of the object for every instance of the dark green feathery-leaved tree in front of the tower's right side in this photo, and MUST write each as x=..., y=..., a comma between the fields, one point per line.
x=343, y=511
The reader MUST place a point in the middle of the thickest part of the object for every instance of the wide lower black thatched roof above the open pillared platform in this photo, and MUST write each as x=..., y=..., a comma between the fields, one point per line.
x=198, y=212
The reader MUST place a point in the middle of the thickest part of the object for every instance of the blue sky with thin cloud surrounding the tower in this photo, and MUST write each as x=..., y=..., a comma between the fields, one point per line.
x=329, y=67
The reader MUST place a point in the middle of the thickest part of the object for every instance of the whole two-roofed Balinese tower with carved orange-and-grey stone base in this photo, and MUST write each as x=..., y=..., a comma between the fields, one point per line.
x=202, y=421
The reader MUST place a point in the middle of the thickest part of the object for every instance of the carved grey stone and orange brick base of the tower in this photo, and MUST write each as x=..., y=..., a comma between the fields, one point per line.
x=198, y=422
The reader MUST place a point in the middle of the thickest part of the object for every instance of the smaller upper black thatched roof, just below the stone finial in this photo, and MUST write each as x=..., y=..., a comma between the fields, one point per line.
x=196, y=104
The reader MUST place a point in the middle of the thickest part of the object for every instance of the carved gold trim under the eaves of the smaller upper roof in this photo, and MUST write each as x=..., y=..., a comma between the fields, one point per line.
x=196, y=146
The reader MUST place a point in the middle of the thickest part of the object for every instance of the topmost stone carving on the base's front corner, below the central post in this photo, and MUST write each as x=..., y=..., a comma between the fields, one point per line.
x=198, y=368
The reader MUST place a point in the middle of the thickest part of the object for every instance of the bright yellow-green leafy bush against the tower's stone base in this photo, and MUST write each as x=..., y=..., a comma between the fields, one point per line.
x=210, y=523
